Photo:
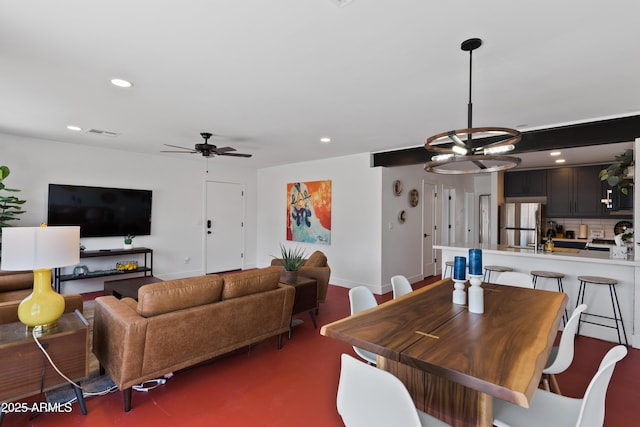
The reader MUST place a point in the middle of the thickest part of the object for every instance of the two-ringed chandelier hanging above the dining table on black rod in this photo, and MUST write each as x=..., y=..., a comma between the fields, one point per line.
x=472, y=150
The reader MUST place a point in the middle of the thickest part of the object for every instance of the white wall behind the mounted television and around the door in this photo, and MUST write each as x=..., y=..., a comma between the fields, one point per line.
x=178, y=197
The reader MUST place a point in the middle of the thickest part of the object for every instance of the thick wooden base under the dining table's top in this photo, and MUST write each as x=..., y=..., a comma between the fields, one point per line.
x=447, y=400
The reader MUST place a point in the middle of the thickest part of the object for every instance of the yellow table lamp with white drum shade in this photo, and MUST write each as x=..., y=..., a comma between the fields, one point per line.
x=40, y=249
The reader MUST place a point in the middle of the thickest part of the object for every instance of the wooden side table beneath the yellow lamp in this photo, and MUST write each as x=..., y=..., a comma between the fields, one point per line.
x=21, y=370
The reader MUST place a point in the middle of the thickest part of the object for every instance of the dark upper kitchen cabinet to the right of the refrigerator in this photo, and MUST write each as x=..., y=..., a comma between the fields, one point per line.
x=574, y=192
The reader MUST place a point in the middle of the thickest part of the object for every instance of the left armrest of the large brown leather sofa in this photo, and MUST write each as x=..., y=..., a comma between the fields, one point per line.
x=119, y=334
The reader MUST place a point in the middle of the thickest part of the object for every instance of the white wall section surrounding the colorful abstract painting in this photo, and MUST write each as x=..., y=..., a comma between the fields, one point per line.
x=354, y=253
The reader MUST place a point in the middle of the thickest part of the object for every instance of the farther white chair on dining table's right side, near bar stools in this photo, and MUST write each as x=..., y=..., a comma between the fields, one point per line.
x=561, y=356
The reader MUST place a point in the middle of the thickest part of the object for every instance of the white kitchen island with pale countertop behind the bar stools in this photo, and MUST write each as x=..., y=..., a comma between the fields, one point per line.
x=572, y=265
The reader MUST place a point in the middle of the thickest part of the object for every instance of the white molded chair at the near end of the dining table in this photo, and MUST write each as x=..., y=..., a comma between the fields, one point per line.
x=371, y=397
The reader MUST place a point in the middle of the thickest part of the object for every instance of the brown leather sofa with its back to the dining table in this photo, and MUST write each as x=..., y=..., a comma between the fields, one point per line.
x=179, y=323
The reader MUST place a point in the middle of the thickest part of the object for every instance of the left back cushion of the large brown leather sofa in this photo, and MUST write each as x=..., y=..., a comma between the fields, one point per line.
x=172, y=295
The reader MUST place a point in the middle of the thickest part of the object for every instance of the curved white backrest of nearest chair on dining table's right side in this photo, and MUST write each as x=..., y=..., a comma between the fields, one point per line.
x=593, y=403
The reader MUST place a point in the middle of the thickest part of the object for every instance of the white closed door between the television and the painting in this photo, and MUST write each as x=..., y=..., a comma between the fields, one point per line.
x=224, y=227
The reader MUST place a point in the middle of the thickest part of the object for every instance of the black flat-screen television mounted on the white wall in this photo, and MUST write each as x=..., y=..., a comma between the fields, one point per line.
x=100, y=211
